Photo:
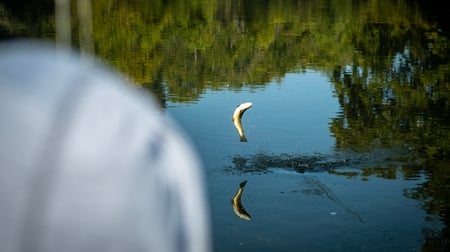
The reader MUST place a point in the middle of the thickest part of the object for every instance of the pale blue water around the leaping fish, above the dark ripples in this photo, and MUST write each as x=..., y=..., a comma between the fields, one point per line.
x=291, y=116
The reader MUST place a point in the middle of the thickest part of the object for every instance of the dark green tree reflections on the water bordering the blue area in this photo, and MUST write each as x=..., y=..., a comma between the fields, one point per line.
x=388, y=61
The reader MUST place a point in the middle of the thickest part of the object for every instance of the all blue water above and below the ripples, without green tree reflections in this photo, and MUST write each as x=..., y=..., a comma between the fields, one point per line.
x=292, y=211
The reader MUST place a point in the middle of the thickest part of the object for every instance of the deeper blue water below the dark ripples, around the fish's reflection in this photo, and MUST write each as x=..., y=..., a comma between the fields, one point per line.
x=315, y=212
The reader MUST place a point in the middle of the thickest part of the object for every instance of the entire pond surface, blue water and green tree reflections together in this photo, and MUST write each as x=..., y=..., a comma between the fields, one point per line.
x=348, y=138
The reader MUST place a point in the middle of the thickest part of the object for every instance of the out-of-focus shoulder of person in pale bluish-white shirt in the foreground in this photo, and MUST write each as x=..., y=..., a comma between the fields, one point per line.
x=89, y=161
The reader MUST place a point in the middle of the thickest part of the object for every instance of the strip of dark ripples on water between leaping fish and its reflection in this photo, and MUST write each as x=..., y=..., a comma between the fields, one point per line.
x=380, y=163
